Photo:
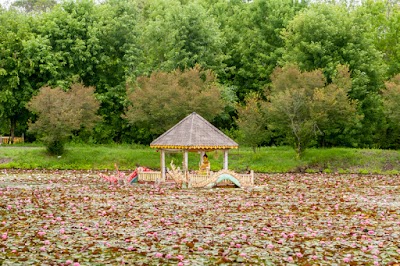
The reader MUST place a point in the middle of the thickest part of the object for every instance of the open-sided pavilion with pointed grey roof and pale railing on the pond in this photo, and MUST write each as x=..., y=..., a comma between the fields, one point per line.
x=195, y=134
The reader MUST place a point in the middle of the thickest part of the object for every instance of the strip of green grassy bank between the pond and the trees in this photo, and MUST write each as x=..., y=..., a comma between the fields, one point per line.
x=267, y=159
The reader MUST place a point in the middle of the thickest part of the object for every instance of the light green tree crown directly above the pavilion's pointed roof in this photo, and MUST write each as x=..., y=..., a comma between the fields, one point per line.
x=179, y=35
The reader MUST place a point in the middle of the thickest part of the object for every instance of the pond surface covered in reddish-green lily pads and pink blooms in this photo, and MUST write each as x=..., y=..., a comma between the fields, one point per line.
x=75, y=218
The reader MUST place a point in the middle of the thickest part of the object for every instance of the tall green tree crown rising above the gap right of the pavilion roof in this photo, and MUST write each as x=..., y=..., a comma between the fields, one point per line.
x=255, y=42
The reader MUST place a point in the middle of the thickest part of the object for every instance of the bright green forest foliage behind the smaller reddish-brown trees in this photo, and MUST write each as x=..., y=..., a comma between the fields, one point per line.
x=109, y=44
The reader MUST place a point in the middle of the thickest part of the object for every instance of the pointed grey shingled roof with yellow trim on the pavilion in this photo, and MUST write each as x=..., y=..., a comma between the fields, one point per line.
x=194, y=133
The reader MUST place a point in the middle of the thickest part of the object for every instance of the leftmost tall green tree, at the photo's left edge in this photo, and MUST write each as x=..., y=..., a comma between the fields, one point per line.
x=25, y=61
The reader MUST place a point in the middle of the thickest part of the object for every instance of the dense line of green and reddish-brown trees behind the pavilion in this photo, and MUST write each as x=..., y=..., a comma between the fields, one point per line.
x=276, y=72
